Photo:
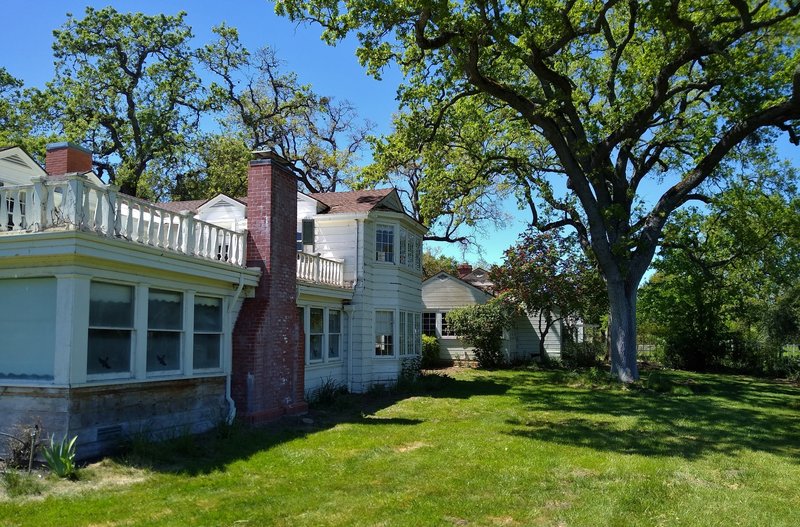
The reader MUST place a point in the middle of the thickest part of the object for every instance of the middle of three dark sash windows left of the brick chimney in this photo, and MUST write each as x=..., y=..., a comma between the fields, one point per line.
x=164, y=328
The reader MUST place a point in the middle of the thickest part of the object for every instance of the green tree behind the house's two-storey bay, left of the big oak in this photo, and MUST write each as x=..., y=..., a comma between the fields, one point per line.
x=450, y=168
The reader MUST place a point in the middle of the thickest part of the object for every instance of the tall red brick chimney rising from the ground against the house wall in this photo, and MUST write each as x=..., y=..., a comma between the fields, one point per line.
x=268, y=355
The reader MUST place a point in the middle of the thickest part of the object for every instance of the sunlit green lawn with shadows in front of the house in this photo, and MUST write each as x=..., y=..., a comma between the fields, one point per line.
x=479, y=448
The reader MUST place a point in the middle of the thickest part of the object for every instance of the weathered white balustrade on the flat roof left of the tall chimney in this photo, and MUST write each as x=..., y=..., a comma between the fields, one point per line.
x=75, y=203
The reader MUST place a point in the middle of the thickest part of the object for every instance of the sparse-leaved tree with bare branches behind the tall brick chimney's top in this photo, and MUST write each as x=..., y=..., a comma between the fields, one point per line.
x=266, y=108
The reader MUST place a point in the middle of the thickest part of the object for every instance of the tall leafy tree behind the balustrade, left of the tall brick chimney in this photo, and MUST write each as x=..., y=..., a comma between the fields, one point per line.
x=125, y=86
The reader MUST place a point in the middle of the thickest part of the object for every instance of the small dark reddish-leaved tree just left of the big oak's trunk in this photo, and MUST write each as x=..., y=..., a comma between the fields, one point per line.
x=548, y=273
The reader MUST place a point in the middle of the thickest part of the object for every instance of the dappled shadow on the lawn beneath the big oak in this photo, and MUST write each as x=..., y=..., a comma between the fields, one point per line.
x=694, y=416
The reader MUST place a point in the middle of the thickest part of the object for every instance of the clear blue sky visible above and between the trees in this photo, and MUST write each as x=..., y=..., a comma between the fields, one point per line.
x=26, y=40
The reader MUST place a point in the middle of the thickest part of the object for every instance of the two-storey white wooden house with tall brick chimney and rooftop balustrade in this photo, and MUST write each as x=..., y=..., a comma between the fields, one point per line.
x=122, y=316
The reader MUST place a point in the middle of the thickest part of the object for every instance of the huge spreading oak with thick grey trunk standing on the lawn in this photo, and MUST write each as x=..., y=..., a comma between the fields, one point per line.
x=621, y=92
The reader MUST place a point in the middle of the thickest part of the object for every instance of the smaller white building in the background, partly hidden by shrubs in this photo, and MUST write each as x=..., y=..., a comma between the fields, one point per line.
x=443, y=292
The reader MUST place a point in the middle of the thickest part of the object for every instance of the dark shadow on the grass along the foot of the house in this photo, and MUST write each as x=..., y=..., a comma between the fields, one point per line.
x=215, y=450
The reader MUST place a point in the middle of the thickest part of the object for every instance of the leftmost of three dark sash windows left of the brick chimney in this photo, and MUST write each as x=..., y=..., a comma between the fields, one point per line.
x=110, y=330
